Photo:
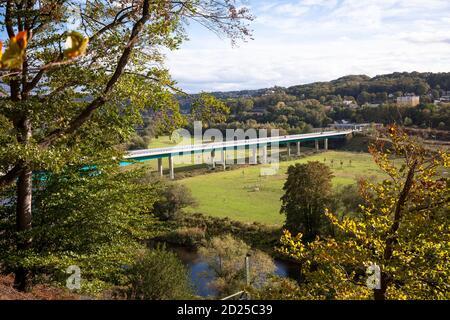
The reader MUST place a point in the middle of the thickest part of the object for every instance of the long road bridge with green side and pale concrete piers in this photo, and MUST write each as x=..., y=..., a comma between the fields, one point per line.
x=254, y=144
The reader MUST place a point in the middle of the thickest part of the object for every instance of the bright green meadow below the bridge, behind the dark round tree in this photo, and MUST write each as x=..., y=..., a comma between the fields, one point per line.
x=244, y=195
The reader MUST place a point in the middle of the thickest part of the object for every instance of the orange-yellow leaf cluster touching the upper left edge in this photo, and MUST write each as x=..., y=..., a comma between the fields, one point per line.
x=13, y=56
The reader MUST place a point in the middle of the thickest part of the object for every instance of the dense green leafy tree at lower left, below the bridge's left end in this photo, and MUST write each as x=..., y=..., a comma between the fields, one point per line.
x=95, y=221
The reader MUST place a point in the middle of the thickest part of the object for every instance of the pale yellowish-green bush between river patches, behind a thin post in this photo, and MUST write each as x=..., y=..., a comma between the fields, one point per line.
x=225, y=256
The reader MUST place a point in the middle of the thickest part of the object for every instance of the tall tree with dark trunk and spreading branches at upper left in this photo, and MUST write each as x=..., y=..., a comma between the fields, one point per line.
x=62, y=106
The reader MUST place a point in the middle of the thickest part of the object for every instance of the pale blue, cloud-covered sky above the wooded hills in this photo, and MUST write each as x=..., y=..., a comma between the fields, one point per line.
x=303, y=41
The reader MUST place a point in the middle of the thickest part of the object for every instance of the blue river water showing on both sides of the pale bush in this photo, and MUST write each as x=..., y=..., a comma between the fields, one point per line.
x=200, y=274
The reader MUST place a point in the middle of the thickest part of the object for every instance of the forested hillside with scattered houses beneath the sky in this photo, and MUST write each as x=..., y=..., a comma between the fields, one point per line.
x=353, y=98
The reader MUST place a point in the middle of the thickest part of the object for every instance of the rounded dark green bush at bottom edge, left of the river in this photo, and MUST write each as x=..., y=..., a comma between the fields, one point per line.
x=158, y=275
